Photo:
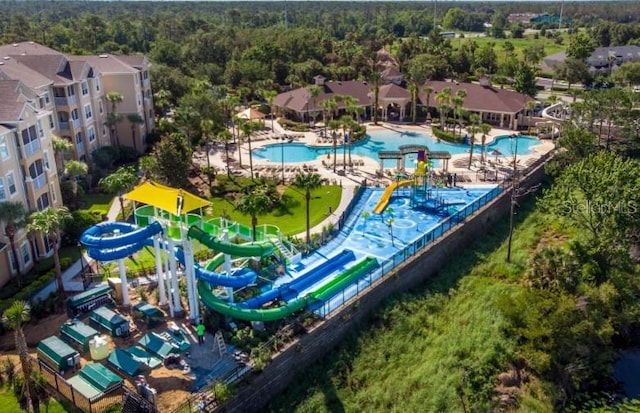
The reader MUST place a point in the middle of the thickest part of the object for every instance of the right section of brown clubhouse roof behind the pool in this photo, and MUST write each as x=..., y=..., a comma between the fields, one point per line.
x=480, y=98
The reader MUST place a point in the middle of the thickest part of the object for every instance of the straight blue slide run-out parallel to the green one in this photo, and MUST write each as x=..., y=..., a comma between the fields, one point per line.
x=291, y=290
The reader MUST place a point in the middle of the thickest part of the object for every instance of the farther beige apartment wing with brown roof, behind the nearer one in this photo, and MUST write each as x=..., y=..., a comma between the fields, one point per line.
x=78, y=89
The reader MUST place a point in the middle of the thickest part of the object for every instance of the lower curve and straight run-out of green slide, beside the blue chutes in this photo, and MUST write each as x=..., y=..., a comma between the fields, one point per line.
x=271, y=314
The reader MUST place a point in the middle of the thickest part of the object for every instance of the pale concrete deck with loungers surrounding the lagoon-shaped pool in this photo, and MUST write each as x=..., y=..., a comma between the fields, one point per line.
x=366, y=168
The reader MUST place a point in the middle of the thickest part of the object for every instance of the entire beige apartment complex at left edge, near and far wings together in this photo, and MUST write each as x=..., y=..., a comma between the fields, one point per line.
x=45, y=93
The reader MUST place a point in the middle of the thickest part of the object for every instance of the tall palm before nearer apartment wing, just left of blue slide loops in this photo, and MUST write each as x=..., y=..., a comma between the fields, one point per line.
x=51, y=222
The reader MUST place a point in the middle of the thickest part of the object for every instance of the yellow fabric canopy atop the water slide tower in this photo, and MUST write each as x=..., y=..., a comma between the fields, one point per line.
x=166, y=198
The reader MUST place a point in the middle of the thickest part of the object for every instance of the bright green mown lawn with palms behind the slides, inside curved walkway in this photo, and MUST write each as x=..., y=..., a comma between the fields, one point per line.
x=290, y=217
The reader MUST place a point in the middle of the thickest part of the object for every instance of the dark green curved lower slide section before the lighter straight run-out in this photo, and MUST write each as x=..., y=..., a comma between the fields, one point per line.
x=247, y=314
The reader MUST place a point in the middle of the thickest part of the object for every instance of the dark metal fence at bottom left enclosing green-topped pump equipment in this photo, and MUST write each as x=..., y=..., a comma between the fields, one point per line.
x=113, y=396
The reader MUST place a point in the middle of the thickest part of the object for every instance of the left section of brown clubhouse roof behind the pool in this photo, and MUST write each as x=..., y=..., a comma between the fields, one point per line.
x=301, y=100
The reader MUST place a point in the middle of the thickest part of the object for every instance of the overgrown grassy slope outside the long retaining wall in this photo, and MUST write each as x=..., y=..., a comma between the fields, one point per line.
x=437, y=348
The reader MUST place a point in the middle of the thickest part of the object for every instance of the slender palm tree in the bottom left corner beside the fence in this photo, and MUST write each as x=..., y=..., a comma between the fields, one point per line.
x=13, y=318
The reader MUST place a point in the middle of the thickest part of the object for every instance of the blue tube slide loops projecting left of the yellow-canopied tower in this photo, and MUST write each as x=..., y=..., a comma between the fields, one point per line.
x=102, y=245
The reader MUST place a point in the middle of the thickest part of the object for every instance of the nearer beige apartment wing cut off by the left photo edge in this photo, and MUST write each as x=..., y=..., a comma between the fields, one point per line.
x=27, y=174
